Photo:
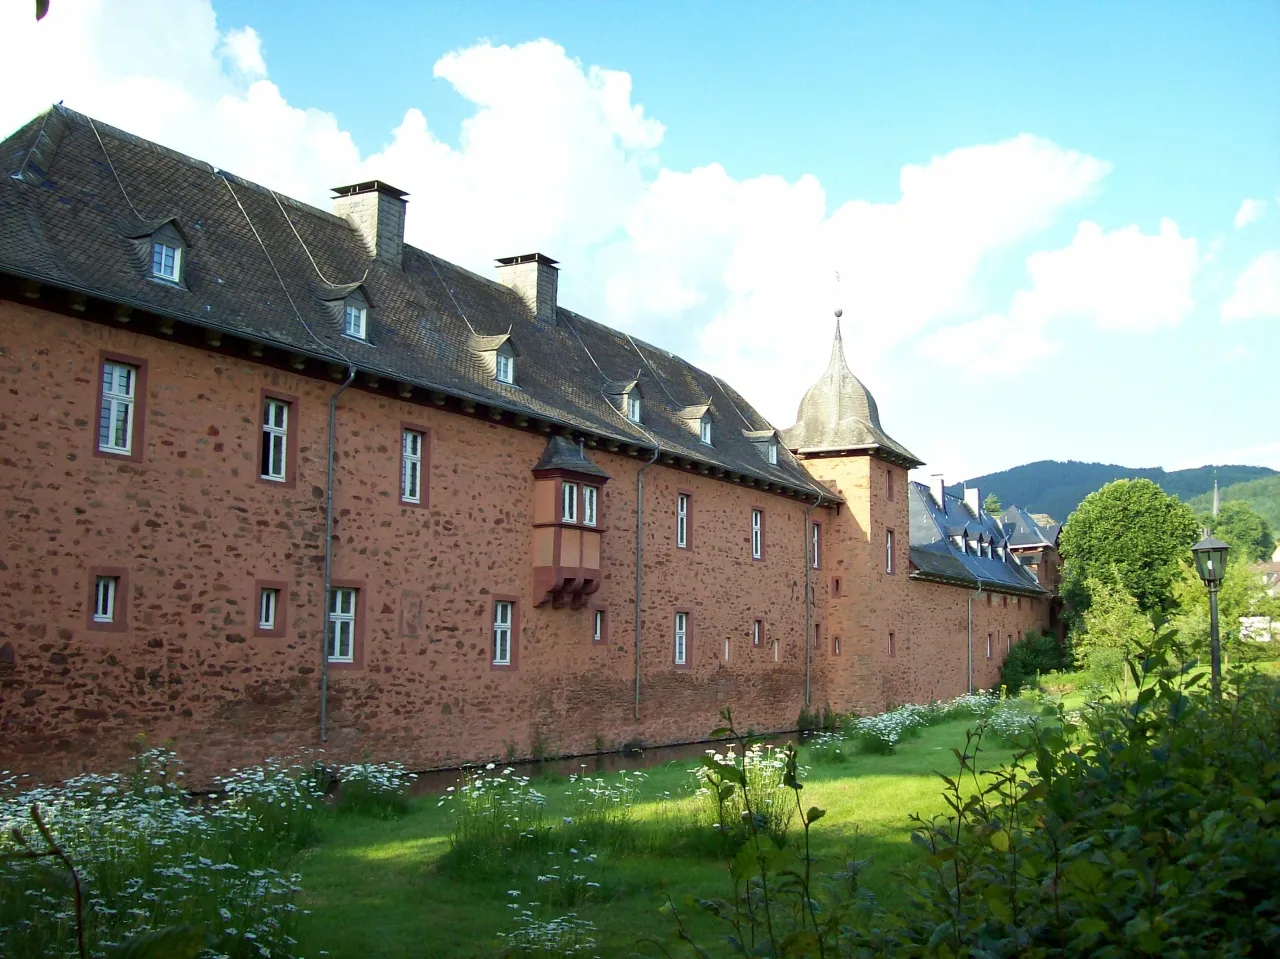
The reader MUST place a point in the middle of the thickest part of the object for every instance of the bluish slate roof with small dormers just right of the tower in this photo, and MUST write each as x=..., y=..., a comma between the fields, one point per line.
x=936, y=558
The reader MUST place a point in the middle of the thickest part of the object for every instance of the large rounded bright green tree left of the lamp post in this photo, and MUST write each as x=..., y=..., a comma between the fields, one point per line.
x=1133, y=533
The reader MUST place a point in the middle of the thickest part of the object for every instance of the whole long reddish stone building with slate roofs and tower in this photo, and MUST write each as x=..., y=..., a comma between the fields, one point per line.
x=275, y=479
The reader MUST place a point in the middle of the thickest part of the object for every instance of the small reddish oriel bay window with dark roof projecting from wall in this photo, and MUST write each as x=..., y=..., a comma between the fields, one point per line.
x=568, y=524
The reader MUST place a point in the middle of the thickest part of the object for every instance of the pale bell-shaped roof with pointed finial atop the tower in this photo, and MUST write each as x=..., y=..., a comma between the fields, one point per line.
x=839, y=414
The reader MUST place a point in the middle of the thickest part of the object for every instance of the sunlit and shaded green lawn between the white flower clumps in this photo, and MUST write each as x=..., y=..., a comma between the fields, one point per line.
x=378, y=889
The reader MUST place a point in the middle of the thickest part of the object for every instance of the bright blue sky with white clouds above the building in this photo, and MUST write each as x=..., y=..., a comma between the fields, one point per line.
x=1052, y=220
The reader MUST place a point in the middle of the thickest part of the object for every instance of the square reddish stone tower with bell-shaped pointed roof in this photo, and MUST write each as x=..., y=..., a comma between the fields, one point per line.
x=866, y=556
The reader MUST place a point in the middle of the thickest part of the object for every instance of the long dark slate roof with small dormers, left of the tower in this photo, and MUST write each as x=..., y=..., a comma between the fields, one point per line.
x=267, y=268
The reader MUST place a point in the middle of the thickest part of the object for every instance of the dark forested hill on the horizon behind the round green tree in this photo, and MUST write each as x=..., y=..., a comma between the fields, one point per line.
x=1057, y=488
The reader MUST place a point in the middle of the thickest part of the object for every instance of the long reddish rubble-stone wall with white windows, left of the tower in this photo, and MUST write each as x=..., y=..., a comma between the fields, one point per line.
x=195, y=529
